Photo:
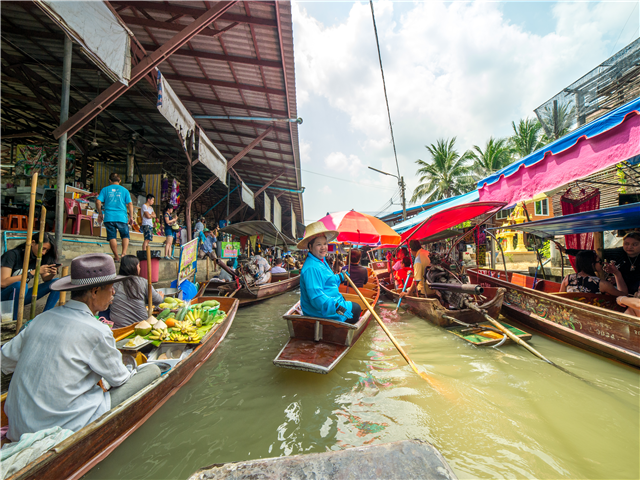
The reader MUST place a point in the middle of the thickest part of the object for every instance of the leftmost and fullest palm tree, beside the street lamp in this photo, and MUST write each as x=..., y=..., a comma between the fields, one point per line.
x=448, y=174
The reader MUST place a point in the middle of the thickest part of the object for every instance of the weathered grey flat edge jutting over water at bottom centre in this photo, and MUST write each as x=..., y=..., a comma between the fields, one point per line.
x=415, y=459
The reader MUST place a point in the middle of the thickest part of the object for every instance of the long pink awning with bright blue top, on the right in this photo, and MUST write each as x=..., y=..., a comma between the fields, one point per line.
x=610, y=139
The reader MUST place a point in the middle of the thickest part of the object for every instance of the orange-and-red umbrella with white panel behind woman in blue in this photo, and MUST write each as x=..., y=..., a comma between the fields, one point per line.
x=360, y=228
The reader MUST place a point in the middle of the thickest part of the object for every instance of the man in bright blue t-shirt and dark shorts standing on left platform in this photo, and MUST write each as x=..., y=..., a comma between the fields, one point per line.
x=118, y=213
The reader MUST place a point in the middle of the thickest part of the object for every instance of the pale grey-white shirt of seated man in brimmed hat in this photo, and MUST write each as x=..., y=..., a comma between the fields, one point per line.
x=57, y=362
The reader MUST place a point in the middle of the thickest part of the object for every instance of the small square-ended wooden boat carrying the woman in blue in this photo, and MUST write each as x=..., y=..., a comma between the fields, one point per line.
x=317, y=344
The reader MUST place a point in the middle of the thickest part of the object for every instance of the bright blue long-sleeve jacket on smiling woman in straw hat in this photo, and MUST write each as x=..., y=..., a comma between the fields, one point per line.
x=319, y=291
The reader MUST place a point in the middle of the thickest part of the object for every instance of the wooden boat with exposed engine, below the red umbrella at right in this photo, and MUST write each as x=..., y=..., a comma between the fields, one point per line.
x=432, y=310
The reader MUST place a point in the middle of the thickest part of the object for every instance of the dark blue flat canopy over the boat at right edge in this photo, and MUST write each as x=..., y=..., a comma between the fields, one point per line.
x=624, y=217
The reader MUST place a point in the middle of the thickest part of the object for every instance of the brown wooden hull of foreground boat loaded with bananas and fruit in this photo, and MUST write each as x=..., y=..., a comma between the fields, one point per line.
x=76, y=455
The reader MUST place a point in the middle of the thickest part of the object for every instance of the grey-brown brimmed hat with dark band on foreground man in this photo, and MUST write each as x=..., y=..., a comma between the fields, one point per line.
x=89, y=271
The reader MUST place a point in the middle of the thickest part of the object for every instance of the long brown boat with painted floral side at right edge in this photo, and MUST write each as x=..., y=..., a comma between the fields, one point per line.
x=572, y=318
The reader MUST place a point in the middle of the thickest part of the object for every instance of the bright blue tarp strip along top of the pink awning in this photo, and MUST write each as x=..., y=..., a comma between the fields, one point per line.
x=602, y=124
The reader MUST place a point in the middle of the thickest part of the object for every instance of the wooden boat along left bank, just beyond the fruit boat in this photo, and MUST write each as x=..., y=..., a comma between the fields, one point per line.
x=280, y=283
